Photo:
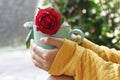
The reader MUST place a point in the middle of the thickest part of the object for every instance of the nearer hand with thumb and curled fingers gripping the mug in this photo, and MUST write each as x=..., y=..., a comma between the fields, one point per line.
x=43, y=58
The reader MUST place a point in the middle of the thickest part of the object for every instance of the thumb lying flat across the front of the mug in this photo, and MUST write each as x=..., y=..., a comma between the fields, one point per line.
x=57, y=42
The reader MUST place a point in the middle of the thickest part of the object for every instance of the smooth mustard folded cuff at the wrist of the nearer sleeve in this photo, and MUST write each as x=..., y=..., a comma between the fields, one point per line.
x=63, y=57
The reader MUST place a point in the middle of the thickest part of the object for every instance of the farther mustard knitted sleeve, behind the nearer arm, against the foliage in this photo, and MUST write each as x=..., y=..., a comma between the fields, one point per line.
x=104, y=52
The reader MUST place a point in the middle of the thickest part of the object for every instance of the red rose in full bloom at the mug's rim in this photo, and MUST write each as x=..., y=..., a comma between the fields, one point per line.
x=47, y=21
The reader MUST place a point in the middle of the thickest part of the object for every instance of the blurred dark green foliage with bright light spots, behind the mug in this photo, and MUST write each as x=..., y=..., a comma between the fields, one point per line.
x=99, y=19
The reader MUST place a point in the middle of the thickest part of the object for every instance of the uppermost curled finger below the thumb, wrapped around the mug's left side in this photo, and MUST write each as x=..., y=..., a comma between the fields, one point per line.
x=36, y=49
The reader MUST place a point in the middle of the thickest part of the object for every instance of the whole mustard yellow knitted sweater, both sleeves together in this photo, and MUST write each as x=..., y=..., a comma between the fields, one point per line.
x=86, y=62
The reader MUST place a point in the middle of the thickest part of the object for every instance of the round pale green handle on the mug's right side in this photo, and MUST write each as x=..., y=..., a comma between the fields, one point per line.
x=77, y=32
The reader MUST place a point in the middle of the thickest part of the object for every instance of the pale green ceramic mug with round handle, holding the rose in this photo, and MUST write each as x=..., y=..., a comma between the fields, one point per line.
x=63, y=32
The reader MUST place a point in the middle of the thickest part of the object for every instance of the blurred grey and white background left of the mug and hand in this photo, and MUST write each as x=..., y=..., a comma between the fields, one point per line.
x=15, y=59
